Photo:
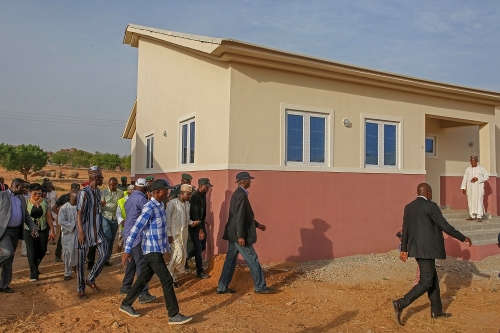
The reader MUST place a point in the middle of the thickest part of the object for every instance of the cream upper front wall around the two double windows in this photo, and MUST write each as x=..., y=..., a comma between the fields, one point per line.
x=257, y=94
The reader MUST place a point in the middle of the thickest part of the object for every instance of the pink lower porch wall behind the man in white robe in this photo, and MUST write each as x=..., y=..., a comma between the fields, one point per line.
x=452, y=196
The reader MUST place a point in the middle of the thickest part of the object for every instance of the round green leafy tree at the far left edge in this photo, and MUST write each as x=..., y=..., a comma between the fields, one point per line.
x=22, y=158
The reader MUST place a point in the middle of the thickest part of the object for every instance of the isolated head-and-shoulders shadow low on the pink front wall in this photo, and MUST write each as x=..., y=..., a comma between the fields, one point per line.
x=313, y=241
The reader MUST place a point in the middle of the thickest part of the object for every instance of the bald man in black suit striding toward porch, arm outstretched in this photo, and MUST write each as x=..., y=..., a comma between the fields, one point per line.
x=423, y=226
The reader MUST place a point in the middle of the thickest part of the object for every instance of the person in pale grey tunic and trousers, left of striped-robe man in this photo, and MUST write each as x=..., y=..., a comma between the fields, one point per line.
x=69, y=234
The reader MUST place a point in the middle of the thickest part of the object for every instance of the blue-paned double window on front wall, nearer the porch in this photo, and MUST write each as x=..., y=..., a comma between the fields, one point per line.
x=381, y=144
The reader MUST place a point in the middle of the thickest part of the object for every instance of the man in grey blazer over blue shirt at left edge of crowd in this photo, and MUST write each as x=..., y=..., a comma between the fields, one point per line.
x=13, y=216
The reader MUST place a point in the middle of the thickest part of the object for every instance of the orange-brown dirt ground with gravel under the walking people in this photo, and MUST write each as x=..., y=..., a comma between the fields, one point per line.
x=349, y=294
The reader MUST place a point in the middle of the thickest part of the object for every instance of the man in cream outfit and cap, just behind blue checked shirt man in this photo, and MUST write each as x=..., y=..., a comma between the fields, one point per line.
x=177, y=231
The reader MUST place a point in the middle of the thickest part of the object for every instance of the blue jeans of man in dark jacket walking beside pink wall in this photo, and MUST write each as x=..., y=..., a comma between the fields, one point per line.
x=248, y=253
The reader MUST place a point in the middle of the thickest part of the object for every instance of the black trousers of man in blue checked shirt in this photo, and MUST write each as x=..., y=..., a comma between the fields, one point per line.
x=154, y=264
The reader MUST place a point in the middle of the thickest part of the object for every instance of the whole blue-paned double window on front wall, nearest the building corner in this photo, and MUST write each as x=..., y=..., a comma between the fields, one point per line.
x=306, y=138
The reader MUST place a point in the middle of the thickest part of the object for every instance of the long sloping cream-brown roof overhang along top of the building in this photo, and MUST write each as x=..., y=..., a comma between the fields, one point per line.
x=232, y=50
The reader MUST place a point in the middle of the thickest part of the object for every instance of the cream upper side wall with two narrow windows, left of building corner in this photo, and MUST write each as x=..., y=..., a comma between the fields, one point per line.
x=175, y=85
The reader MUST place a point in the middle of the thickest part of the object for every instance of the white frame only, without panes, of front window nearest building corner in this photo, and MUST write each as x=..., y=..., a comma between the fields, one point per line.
x=306, y=152
